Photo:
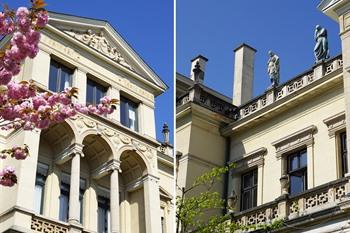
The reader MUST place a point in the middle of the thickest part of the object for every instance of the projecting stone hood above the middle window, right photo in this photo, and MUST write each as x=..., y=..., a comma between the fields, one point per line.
x=303, y=137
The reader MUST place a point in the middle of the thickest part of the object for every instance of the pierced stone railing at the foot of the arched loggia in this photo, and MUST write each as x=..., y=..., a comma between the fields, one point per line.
x=43, y=225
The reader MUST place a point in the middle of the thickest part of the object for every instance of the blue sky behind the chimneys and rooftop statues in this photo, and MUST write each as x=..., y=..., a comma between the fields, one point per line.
x=215, y=28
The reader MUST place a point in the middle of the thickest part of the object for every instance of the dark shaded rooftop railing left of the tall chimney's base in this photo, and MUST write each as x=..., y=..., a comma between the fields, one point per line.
x=199, y=95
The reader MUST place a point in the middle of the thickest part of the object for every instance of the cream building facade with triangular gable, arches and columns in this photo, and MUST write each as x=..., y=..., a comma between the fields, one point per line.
x=91, y=173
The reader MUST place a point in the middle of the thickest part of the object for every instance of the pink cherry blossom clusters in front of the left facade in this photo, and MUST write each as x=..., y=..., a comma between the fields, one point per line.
x=22, y=106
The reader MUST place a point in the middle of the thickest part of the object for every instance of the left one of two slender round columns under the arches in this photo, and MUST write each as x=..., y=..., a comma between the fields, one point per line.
x=74, y=206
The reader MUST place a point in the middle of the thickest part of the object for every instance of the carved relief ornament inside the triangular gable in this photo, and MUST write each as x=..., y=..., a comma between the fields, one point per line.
x=101, y=44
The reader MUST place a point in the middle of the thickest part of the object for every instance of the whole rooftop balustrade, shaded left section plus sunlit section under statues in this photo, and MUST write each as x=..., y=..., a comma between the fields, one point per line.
x=198, y=93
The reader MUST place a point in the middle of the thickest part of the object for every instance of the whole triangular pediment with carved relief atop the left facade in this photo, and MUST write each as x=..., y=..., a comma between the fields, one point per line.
x=101, y=37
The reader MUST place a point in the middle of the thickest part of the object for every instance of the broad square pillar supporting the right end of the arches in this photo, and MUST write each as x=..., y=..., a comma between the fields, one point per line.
x=152, y=204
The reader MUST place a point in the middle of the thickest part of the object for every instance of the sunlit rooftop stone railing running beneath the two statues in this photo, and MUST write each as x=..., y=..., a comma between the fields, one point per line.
x=275, y=94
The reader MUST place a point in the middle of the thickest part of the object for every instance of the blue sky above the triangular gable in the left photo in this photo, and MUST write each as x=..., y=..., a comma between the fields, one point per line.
x=146, y=25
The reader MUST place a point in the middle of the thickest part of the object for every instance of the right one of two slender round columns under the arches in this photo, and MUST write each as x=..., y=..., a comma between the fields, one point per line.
x=114, y=200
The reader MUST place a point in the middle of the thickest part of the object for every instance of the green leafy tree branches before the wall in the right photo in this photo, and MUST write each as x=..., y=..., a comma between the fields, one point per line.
x=192, y=209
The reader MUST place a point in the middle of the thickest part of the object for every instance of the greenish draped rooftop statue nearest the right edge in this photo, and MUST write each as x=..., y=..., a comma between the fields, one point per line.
x=321, y=48
